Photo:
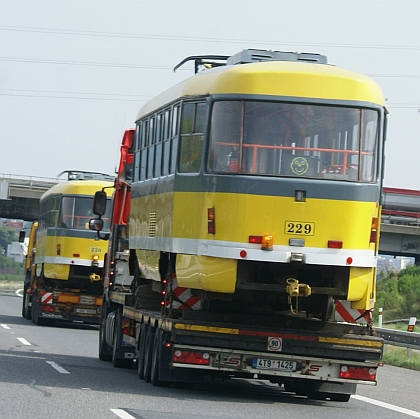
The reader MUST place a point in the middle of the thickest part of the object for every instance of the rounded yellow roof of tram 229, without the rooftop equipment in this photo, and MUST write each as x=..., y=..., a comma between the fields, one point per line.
x=275, y=78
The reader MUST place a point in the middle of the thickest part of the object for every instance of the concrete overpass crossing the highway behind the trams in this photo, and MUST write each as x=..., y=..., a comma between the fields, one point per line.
x=400, y=224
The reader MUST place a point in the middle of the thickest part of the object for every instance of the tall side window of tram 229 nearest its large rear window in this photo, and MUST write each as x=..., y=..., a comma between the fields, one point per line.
x=192, y=128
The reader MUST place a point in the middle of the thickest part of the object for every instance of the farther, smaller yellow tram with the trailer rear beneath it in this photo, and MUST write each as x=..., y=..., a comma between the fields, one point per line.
x=68, y=262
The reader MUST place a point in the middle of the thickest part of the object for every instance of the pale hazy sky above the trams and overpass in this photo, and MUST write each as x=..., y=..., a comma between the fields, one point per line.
x=73, y=75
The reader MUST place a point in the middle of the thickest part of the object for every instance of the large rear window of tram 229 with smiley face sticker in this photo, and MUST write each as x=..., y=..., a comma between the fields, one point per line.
x=290, y=139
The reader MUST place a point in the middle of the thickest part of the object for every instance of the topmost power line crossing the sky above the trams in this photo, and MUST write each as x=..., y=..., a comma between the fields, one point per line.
x=197, y=39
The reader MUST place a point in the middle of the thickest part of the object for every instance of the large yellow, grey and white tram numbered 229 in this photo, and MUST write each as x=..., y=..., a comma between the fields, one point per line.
x=257, y=182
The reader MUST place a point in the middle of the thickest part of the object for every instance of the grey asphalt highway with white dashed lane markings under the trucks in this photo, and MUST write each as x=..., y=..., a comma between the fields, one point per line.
x=54, y=372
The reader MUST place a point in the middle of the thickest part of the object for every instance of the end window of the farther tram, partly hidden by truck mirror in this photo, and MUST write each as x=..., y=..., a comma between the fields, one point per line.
x=77, y=211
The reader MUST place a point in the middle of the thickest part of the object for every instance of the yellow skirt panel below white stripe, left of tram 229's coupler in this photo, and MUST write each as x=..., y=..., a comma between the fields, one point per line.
x=202, y=272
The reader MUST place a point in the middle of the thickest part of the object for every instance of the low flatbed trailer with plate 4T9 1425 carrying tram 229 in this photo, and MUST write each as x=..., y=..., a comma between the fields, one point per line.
x=309, y=357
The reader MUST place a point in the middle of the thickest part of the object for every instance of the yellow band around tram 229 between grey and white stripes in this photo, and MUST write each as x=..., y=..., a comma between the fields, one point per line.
x=237, y=216
